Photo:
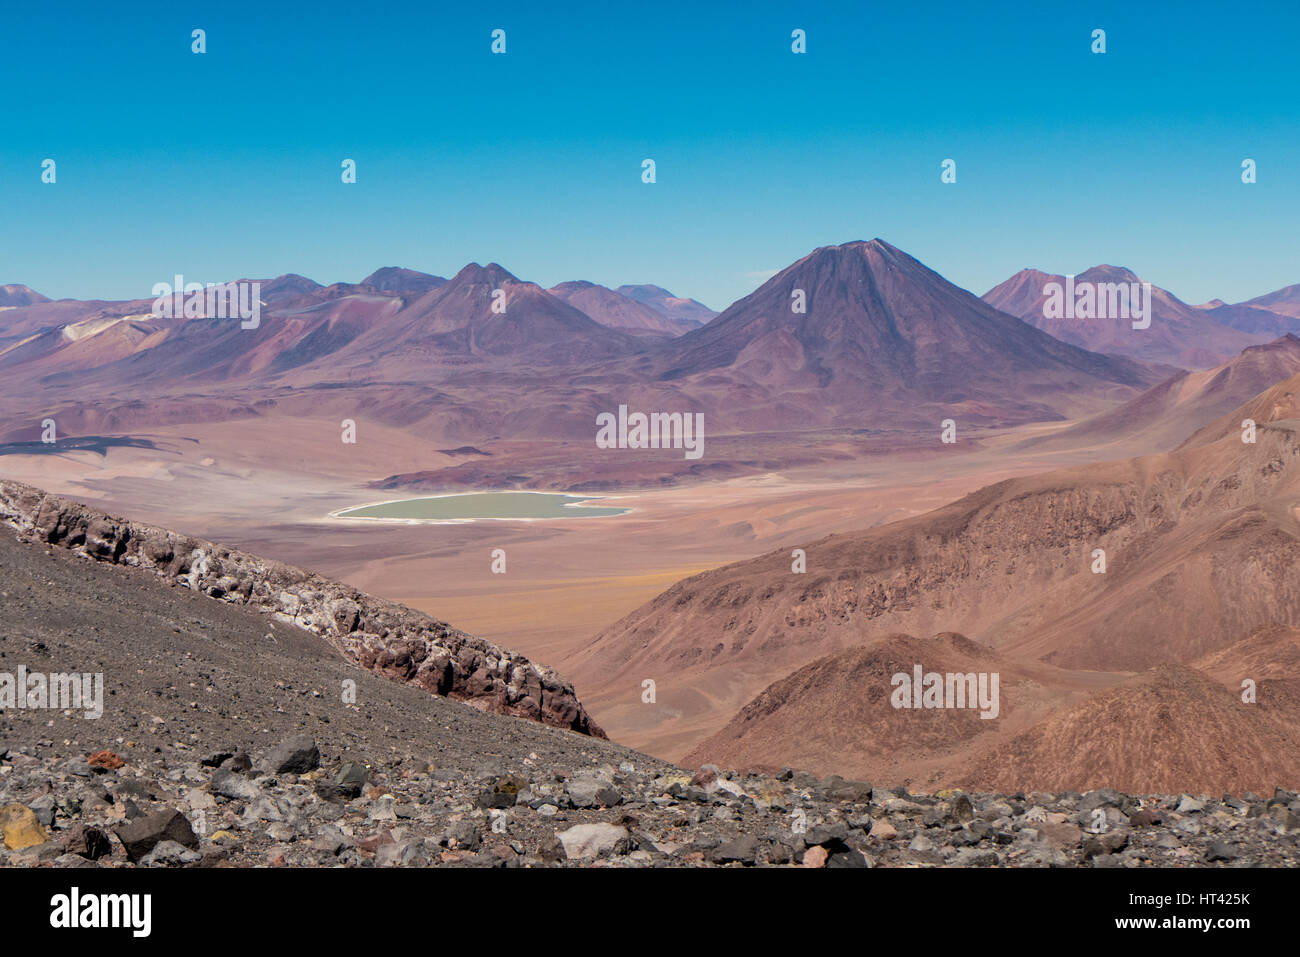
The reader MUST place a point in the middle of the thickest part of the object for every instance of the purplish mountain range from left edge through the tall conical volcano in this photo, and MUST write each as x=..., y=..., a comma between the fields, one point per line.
x=853, y=336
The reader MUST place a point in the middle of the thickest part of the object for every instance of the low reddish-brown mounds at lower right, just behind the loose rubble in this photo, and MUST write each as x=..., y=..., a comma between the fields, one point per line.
x=1168, y=730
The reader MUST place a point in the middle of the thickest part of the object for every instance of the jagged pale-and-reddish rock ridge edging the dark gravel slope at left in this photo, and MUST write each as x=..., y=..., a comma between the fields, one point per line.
x=382, y=636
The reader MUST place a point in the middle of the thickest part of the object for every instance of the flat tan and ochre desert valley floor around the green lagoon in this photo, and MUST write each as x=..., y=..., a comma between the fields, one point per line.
x=566, y=579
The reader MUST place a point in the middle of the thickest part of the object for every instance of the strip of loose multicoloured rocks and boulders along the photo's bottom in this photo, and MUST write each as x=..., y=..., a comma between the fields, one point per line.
x=285, y=808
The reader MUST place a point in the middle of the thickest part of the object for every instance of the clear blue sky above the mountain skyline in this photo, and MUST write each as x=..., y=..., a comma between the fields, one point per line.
x=228, y=164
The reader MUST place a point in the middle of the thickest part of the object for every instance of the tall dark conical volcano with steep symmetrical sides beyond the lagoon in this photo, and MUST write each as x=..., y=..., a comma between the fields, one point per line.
x=886, y=341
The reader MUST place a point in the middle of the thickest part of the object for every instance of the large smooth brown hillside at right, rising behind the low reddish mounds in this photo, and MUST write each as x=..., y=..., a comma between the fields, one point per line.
x=1202, y=547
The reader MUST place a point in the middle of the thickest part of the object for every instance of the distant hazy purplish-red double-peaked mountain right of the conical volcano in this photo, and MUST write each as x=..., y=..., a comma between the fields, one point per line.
x=1180, y=335
